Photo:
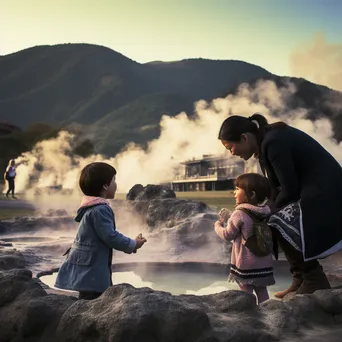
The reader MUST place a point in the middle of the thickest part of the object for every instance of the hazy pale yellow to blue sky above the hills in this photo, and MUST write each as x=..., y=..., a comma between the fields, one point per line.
x=263, y=32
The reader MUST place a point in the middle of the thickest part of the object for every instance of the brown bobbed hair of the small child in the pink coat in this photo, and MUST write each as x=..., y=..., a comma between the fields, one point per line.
x=254, y=183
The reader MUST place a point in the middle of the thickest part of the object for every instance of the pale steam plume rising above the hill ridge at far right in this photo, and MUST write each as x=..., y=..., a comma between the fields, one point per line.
x=319, y=62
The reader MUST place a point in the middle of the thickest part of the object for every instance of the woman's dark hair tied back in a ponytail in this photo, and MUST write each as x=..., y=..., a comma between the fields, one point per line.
x=233, y=127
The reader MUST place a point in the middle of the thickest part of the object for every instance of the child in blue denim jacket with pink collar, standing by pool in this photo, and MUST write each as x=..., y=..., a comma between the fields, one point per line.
x=87, y=267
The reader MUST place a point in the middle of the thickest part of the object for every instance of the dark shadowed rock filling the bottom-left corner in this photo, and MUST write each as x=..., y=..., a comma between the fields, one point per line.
x=27, y=313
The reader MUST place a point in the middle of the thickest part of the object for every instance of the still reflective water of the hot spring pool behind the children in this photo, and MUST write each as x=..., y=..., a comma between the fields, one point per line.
x=182, y=278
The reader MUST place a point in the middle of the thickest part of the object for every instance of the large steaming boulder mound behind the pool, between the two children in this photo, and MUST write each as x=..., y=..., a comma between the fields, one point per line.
x=182, y=222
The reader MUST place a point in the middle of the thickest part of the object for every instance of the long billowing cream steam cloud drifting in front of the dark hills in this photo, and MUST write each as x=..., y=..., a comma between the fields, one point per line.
x=180, y=139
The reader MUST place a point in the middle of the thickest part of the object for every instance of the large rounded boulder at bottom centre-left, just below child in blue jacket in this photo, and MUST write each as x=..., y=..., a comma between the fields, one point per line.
x=127, y=314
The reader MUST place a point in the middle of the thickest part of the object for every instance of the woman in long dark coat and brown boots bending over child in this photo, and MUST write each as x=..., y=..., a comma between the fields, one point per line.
x=306, y=202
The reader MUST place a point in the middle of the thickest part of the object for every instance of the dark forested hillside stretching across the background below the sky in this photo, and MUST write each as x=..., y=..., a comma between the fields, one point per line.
x=120, y=99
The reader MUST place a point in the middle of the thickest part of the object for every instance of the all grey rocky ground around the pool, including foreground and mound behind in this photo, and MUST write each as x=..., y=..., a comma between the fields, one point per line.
x=30, y=312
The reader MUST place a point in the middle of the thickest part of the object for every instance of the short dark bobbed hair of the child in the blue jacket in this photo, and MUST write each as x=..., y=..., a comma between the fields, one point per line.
x=94, y=176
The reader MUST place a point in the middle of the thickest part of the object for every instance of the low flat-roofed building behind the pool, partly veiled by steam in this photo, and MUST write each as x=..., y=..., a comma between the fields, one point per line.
x=210, y=173
